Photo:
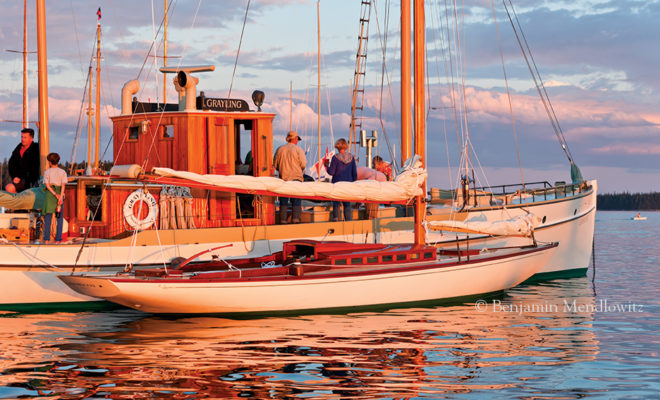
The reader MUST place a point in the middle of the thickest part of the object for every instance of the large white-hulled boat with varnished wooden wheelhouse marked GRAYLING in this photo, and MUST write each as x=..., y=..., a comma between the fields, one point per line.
x=119, y=220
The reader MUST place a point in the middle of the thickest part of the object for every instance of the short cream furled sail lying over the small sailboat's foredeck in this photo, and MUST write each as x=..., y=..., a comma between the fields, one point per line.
x=519, y=226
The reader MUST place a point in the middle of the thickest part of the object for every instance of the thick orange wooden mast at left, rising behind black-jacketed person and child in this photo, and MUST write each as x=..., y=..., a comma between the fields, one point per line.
x=44, y=146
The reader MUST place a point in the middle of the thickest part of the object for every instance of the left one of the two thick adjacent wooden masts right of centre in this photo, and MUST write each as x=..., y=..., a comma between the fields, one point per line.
x=406, y=119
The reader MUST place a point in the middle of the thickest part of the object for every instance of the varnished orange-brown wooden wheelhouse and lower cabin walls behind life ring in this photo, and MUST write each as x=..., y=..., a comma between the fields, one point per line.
x=201, y=142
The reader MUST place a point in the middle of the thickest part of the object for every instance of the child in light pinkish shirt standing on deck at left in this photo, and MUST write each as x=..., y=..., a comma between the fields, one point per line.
x=55, y=180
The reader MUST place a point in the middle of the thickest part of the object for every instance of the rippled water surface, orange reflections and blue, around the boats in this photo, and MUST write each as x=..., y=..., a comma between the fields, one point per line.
x=561, y=339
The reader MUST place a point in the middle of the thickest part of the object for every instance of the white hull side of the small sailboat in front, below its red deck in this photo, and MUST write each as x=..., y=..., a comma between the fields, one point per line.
x=180, y=296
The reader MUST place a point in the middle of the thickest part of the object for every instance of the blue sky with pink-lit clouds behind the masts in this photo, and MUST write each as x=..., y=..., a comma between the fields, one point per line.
x=598, y=60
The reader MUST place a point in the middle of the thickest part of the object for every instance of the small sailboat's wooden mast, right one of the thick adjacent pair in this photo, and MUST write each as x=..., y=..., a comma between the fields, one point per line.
x=420, y=122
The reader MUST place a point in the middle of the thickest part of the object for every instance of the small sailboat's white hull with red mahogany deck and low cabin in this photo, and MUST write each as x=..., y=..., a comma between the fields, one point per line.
x=309, y=275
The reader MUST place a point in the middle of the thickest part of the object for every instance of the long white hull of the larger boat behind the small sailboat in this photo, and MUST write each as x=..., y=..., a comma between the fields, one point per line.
x=26, y=275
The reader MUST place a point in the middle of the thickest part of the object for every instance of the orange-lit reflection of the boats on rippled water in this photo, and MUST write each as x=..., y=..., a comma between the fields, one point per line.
x=400, y=353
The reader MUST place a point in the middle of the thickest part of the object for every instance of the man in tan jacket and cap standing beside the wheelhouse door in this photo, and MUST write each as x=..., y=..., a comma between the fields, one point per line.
x=290, y=162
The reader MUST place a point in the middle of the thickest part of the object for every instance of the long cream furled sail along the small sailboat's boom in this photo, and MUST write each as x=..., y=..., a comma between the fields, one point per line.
x=407, y=185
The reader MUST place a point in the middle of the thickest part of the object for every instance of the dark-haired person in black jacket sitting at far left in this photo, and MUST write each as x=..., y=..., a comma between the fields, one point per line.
x=24, y=163
